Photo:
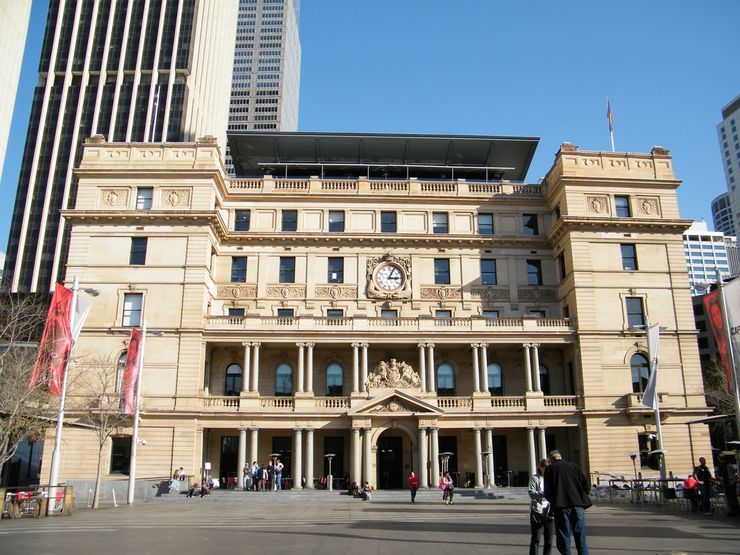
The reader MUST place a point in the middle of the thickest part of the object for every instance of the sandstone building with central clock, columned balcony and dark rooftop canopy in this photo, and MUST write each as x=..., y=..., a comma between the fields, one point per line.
x=402, y=302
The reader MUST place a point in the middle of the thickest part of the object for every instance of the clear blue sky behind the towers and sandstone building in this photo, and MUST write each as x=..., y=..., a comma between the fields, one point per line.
x=492, y=67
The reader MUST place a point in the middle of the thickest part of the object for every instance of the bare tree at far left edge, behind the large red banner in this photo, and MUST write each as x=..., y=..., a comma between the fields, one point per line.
x=25, y=412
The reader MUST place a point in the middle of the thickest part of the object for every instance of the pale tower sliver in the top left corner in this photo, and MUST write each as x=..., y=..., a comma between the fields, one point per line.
x=13, y=26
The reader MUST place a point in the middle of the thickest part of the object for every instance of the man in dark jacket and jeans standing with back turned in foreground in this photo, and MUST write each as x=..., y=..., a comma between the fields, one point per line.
x=566, y=488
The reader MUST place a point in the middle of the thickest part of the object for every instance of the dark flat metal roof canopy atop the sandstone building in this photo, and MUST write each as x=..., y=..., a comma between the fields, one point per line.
x=378, y=155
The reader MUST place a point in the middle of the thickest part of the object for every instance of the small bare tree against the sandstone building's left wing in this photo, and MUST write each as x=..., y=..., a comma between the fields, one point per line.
x=96, y=402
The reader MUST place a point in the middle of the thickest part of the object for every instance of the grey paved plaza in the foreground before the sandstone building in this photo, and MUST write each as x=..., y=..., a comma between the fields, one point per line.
x=273, y=523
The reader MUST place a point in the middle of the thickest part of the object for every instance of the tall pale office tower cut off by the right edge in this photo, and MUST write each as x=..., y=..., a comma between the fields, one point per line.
x=730, y=148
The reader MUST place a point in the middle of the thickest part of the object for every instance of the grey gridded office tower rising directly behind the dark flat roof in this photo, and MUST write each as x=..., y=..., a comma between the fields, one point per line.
x=267, y=68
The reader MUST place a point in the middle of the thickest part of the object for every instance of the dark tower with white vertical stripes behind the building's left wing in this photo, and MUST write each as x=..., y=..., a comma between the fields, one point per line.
x=130, y=70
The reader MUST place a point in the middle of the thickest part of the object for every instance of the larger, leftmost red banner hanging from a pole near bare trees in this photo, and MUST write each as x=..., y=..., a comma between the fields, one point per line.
x=55, y=344
